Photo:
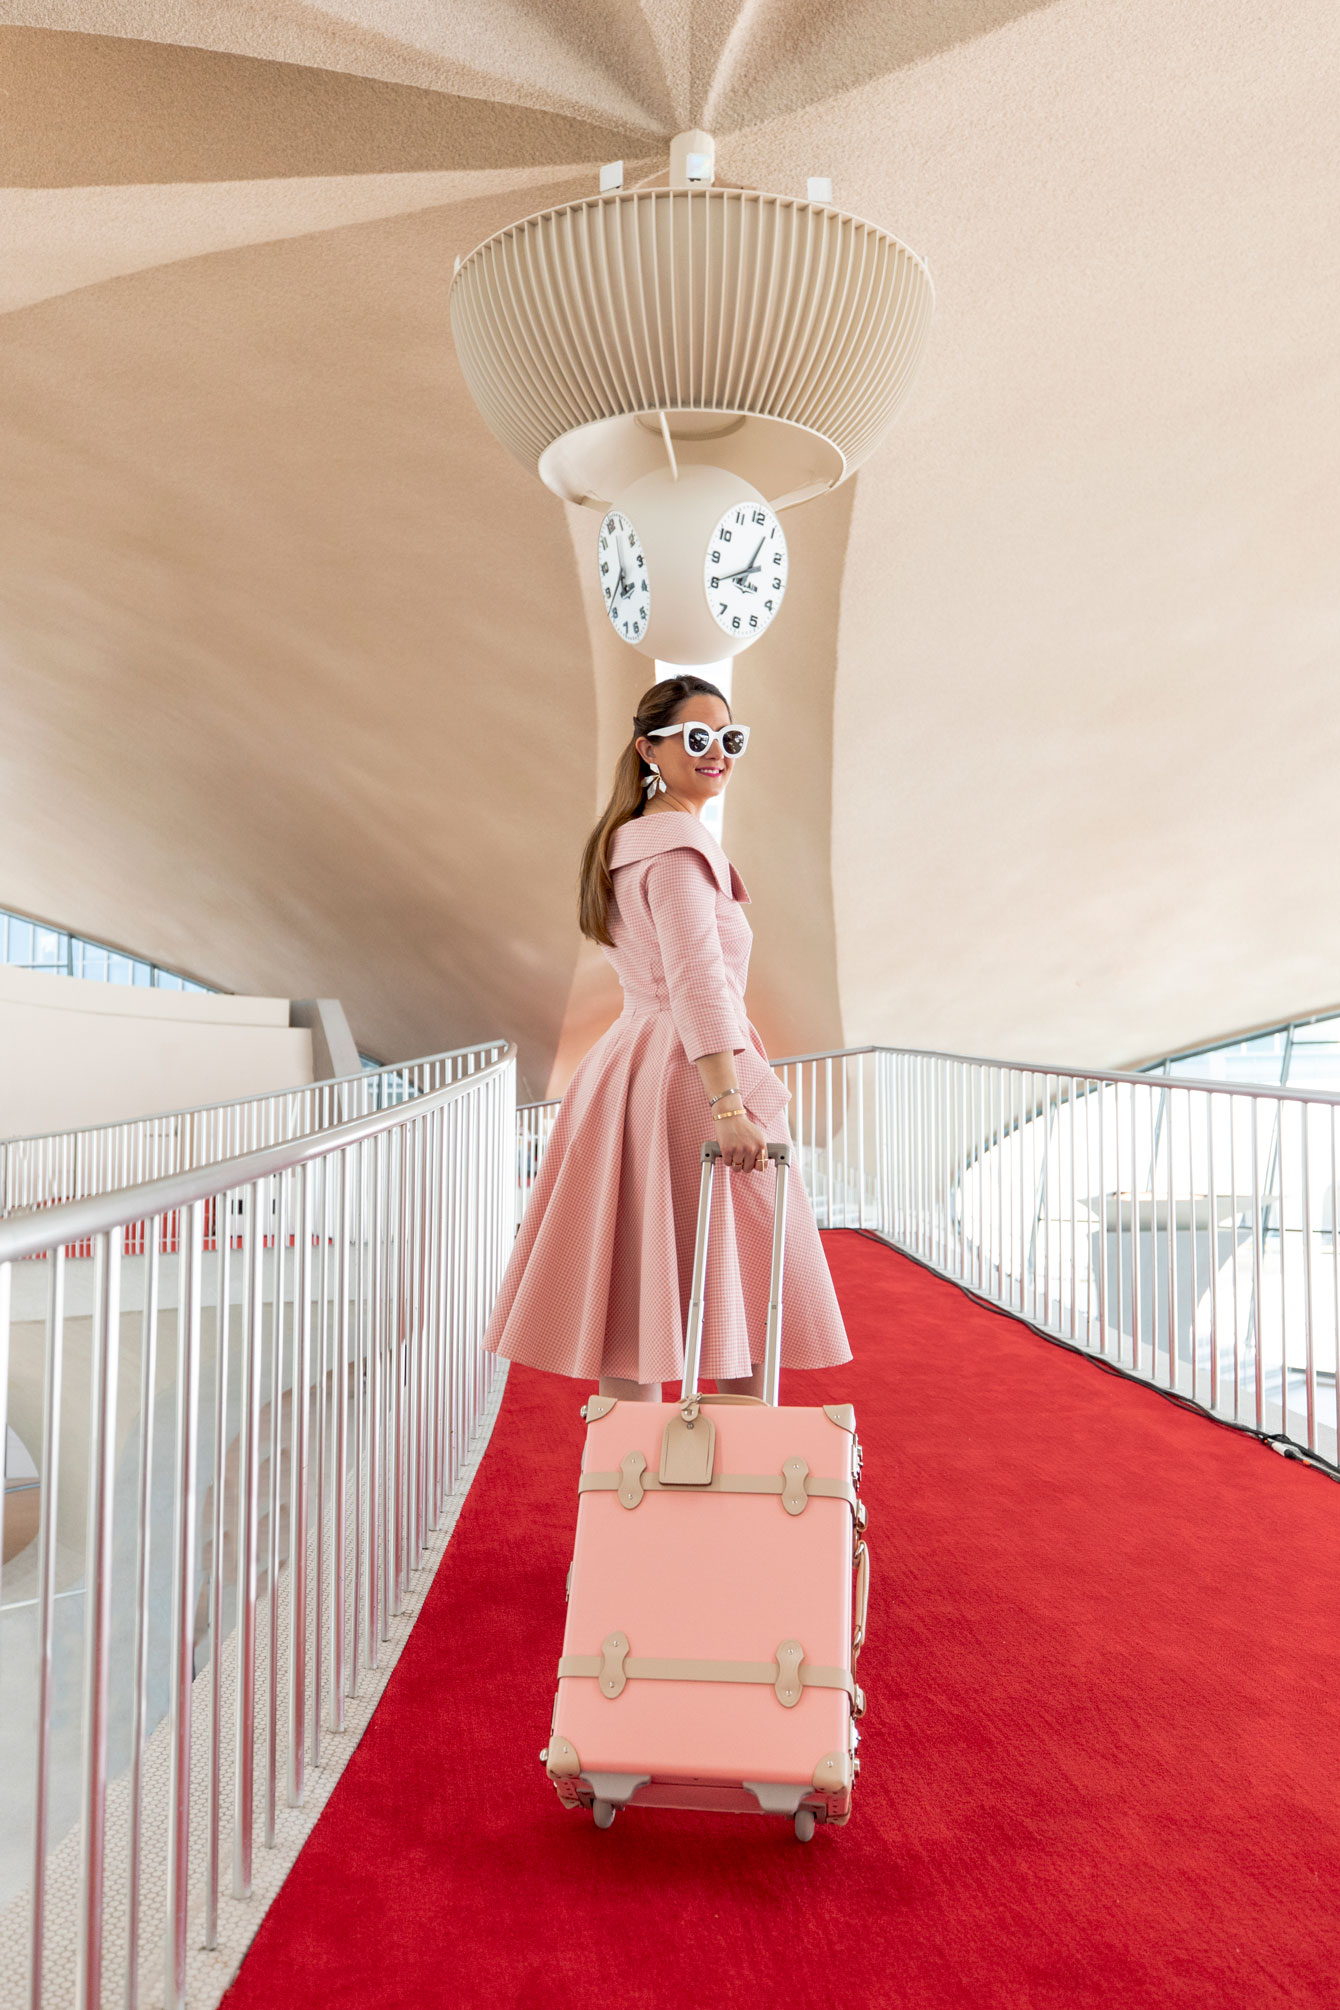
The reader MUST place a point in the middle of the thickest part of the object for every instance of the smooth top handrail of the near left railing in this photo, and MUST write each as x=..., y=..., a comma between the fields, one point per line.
x=81, y=1221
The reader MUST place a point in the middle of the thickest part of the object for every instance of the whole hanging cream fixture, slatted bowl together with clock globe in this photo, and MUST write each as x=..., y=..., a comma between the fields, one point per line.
x=680, y=353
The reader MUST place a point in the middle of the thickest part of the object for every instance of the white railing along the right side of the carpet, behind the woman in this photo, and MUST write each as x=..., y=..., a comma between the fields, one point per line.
x=1182, y=1231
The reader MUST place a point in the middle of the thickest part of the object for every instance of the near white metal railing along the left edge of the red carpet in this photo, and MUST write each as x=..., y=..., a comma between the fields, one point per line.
x=250, y=1408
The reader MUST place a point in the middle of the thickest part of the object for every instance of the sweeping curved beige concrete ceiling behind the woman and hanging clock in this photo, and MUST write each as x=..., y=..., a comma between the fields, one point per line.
x=308, y=688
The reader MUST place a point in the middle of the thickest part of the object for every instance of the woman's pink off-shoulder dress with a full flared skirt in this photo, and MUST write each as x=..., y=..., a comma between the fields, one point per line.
x=602, y=1267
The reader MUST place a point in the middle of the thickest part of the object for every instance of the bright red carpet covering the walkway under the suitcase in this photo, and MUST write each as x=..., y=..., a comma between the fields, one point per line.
x=1102, y=1760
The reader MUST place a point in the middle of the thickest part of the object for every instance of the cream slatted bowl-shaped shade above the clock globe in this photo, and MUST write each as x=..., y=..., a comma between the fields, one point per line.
x=724, y=327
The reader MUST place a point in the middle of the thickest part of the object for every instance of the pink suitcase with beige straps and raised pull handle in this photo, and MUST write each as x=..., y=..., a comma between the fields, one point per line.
x=710, y=1649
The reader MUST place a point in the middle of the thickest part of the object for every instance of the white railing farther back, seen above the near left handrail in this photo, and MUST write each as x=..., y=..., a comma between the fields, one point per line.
x=37, y=1173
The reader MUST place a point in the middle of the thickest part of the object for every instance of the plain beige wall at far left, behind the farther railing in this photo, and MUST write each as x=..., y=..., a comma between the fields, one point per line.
x=75, y=1054
